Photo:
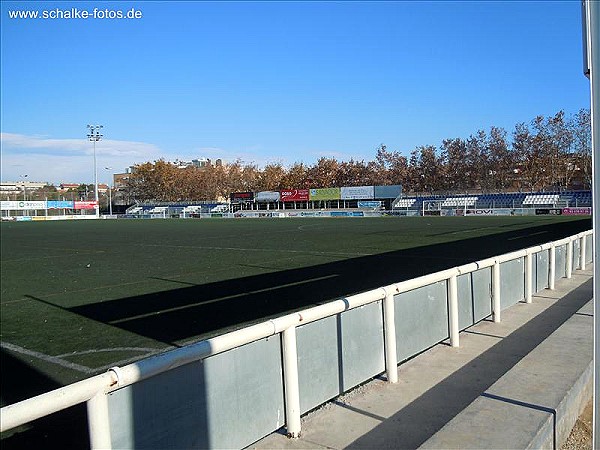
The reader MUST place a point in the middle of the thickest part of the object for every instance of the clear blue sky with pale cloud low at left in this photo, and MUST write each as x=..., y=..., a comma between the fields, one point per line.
x=275, y=81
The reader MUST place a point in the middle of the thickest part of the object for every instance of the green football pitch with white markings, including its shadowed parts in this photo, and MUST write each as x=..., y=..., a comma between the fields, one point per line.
x=79, y=297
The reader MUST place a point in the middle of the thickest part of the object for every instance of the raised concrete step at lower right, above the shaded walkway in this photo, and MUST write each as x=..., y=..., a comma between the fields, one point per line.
x=536, y=403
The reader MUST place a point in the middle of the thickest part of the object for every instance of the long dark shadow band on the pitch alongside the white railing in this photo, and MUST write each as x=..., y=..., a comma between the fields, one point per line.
x=197, y=311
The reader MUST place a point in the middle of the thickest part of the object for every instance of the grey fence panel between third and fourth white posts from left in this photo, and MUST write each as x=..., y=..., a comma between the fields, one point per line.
x=421, y=318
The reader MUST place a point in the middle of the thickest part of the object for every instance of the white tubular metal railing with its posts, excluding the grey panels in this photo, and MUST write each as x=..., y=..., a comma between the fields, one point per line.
x=94, y=390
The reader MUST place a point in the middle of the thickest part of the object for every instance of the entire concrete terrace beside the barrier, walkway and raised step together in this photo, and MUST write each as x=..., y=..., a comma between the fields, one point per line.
x=520, y=383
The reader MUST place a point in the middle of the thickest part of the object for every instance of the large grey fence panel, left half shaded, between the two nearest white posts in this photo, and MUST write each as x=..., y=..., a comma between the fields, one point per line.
x=202, y=404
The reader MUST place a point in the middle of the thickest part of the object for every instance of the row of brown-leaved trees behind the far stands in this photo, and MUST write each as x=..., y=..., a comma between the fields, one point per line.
x=547, y=153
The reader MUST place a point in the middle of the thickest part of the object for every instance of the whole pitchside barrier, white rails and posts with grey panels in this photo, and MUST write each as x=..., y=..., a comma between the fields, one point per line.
x=233, y=389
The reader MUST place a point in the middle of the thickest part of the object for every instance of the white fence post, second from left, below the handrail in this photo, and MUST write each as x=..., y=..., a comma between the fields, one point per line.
x=290, y=382
